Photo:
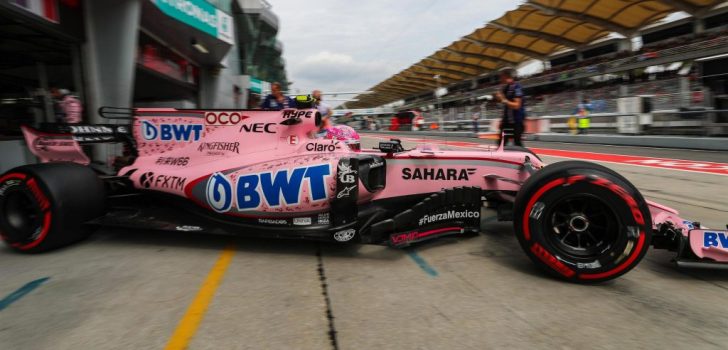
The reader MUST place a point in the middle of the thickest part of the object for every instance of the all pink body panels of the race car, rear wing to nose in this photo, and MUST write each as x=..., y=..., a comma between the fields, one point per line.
x=228, y=145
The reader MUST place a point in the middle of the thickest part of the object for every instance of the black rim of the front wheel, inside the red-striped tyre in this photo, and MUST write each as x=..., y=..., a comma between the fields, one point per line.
x=582, y=226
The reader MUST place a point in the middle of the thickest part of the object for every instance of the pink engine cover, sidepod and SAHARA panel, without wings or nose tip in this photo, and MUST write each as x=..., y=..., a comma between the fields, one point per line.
x=255, y=142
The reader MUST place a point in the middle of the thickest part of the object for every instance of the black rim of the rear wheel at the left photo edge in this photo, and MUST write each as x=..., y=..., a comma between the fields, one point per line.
x=22, y=215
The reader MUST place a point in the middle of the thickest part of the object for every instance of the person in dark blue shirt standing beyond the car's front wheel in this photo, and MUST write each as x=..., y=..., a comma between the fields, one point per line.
x=514, y=112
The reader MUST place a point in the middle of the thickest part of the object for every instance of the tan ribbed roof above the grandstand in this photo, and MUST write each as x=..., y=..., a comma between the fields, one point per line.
x=534, y=30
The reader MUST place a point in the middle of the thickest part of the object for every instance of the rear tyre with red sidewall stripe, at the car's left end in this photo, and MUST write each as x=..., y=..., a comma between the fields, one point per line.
x=44, y=206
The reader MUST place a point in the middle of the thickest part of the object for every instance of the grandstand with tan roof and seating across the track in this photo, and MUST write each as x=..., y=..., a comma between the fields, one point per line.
x=587, y=50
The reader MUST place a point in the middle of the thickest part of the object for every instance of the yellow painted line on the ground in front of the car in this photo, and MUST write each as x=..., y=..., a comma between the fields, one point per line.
x=196, y=311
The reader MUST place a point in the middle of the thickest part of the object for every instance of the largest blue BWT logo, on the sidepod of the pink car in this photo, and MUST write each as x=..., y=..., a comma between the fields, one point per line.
x=274, y=189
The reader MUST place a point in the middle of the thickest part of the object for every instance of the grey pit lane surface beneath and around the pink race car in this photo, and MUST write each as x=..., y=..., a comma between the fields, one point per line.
x=129, y=290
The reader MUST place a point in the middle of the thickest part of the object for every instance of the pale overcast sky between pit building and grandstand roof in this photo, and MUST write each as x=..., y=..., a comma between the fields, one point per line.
x=345, y=45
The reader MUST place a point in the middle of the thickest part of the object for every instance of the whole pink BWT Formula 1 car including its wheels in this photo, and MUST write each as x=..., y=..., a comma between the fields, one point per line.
x=260, y=173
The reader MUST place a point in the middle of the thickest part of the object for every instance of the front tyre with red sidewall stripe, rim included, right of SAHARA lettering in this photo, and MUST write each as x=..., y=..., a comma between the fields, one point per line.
x=582, y=222
